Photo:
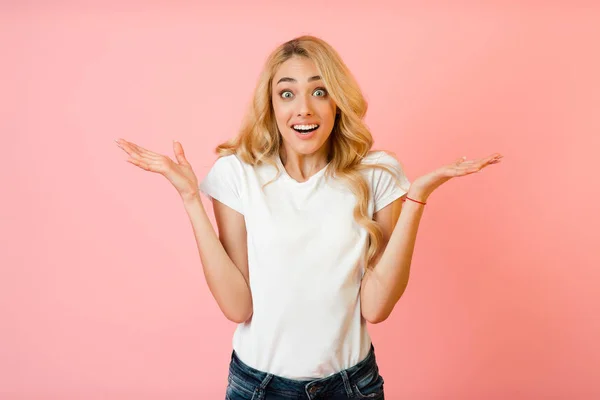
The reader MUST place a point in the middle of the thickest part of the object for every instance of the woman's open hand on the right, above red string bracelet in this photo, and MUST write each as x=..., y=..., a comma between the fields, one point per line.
x=422, y=187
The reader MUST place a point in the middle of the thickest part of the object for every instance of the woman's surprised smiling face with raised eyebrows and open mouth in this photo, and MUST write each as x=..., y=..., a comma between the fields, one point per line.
x=304, y=111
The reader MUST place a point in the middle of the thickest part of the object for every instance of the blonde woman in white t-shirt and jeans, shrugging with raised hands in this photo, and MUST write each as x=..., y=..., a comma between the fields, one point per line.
x=316, y=230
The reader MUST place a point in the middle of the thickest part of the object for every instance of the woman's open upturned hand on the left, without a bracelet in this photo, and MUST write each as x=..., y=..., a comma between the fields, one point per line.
x=179, y=173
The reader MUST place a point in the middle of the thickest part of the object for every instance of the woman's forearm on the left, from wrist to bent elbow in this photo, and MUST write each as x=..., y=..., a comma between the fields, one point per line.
x=224, y=279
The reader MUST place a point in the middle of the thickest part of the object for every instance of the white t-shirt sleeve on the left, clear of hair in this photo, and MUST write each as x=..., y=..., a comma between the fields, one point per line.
x=224, y=182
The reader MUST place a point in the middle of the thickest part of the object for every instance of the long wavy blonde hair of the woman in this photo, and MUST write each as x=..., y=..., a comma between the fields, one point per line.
x=259, y=140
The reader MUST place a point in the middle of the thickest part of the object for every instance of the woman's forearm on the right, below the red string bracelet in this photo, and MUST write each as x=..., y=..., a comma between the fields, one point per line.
x=386, y=283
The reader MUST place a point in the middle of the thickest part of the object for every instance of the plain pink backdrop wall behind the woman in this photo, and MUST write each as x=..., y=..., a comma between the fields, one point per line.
x=102, y=294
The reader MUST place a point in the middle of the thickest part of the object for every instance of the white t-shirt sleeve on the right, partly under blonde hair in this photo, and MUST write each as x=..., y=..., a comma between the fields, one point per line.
x=385, y=187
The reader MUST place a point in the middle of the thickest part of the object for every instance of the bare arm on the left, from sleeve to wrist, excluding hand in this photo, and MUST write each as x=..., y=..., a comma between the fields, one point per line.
x=224, y=258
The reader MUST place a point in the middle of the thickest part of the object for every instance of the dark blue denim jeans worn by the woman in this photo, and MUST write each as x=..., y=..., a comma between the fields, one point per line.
x=361, y=381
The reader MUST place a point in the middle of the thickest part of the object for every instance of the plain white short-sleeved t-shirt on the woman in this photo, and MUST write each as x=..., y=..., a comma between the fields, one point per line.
x=305, y=261
